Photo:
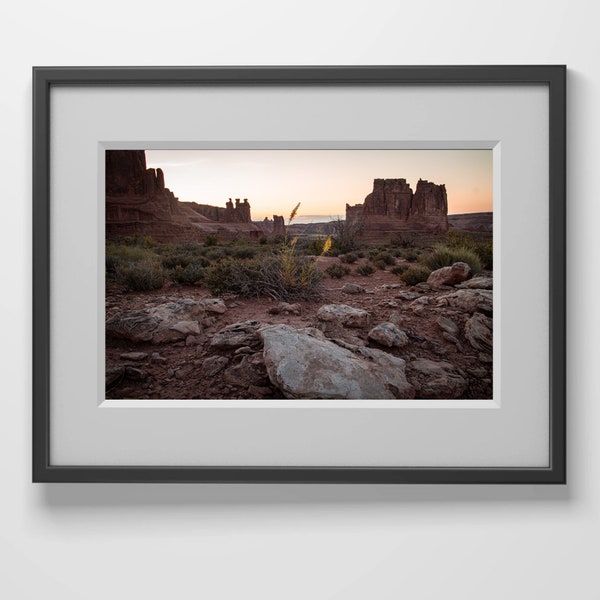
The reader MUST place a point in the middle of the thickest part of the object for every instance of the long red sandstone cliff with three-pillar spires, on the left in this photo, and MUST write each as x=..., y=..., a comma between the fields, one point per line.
x=137, y=202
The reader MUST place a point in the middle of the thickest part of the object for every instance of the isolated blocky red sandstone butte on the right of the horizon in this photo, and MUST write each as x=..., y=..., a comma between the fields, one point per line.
x=392, y=208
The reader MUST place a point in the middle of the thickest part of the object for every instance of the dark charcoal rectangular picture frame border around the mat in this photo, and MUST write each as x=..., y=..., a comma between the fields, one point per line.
x=552, y=76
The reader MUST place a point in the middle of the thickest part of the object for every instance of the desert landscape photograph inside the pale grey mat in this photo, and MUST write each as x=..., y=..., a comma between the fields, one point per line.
x=299, y=274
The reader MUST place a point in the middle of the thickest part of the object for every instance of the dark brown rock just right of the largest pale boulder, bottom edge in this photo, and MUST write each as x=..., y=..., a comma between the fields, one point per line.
x=433, y=379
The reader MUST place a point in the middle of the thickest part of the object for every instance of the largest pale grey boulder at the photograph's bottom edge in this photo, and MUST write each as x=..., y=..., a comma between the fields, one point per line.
x=303, y=365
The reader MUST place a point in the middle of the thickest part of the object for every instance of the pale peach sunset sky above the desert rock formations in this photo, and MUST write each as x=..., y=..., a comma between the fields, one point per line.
x=323, y=181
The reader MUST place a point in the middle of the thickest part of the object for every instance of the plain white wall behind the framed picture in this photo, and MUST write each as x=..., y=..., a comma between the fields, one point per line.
x=267, y=542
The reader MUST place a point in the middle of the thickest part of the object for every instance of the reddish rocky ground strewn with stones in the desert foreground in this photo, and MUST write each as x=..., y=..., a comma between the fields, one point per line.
x=367, y=337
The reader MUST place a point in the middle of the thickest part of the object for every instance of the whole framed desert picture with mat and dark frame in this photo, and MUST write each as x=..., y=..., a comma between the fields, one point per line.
x=299, y=274
